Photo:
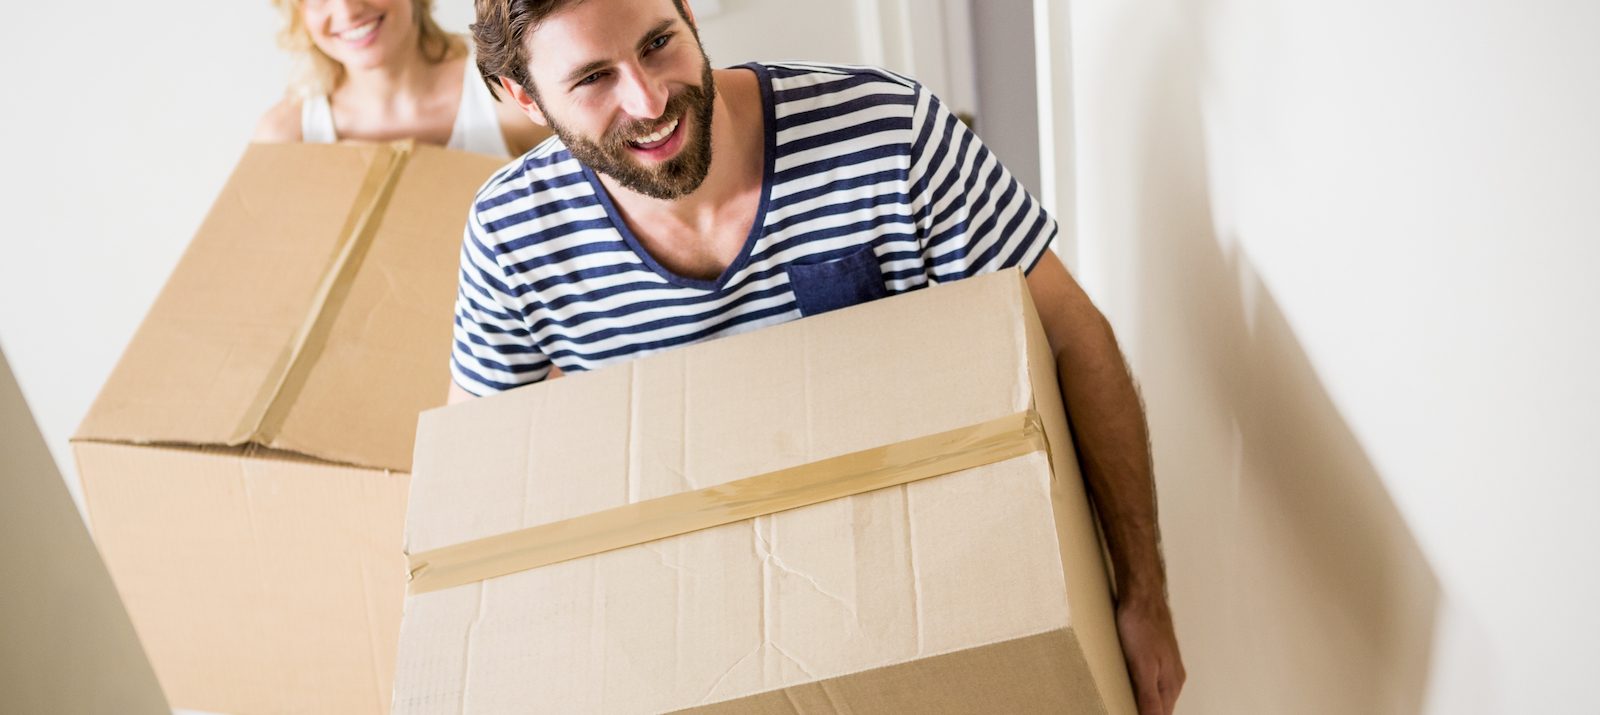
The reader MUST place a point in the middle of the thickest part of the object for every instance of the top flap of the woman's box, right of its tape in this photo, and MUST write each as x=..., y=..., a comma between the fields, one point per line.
x=388, y=346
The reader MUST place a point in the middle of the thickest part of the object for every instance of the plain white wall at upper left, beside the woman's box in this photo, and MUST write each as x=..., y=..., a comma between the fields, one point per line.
x=122, y=121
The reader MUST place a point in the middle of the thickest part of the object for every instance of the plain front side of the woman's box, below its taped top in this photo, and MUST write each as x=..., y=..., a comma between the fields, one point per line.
x=260, y=583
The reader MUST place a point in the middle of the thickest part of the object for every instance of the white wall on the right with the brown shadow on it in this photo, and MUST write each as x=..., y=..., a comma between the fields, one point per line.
x=1350, y=249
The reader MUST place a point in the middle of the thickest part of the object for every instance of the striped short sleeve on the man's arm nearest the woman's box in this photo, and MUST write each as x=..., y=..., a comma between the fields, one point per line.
x=494, y=350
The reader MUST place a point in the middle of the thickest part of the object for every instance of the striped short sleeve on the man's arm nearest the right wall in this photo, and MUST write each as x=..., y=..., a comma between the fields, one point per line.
x=972, y=215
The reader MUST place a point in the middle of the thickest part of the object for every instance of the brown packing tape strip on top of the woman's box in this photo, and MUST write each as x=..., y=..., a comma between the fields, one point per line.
x=270, y=409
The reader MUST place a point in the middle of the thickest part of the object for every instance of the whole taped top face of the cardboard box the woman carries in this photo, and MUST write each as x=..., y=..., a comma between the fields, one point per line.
x=311, y=313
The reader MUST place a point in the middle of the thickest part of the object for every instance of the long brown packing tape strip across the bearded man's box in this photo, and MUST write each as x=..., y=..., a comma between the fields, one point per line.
x=735, y=501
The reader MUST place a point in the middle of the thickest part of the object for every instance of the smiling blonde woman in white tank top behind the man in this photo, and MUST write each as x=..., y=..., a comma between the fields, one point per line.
x=382, y=71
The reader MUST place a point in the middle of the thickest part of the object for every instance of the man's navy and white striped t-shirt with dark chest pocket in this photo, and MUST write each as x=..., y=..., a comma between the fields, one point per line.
x=871, y=188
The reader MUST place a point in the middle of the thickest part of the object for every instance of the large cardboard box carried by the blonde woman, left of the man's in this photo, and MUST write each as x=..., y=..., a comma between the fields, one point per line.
x=246, y=466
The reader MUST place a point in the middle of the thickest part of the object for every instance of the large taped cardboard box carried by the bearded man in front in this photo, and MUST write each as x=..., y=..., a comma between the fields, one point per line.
x=975, y=588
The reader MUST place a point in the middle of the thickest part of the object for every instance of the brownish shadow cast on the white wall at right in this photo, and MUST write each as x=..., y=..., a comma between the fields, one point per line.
x=1297, y=585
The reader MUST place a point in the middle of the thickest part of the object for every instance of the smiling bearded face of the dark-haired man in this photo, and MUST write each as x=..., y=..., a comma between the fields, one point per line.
x=630, y=90
